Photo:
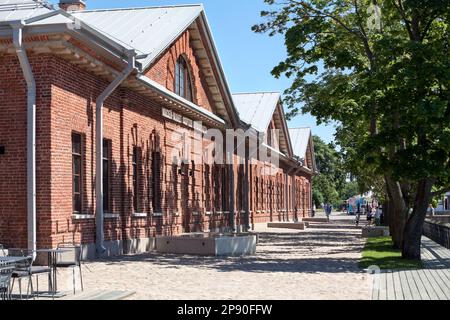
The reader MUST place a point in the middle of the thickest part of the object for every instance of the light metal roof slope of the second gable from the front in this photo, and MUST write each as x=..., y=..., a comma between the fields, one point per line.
x=256, y=109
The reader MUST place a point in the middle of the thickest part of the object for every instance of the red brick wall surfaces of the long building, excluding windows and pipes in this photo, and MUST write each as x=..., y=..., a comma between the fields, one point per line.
x=66, y=104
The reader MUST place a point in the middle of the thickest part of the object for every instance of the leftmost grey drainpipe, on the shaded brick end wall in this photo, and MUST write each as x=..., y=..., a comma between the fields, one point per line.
x=17, y=27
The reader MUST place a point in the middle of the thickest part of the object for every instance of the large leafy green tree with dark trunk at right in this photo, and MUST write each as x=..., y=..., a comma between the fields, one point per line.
x=381, y=69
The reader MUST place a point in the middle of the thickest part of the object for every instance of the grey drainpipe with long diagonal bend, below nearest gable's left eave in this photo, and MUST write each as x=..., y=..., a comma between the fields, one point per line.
x=99, y=217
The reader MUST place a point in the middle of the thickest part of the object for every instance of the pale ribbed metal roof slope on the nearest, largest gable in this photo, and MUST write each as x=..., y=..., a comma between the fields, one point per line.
x=148, y=30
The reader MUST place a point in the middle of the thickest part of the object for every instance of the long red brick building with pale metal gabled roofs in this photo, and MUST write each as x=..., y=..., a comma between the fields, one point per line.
x=144, y=85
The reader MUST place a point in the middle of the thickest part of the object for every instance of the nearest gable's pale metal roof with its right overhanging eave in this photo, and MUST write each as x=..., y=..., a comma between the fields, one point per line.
x=149, y=32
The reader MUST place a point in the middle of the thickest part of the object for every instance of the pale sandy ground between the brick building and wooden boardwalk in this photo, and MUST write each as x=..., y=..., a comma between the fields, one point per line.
x=318, y=263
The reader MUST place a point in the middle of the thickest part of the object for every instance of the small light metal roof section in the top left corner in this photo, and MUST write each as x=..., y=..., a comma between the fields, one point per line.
x=11, y=10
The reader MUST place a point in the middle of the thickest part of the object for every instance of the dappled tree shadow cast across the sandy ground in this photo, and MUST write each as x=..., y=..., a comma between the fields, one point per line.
x=288, y=252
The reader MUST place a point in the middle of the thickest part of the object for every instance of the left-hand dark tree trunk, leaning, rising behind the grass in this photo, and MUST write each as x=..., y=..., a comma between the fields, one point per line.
x=398, y=212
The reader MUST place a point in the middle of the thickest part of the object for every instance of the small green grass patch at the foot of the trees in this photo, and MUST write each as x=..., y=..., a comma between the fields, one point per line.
x=380, y=252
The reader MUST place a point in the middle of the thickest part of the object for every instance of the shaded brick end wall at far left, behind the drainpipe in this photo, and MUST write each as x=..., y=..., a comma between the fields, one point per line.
x=13, y=164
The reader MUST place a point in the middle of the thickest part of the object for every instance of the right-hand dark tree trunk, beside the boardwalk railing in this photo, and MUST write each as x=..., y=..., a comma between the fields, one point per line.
x=414, y=226
